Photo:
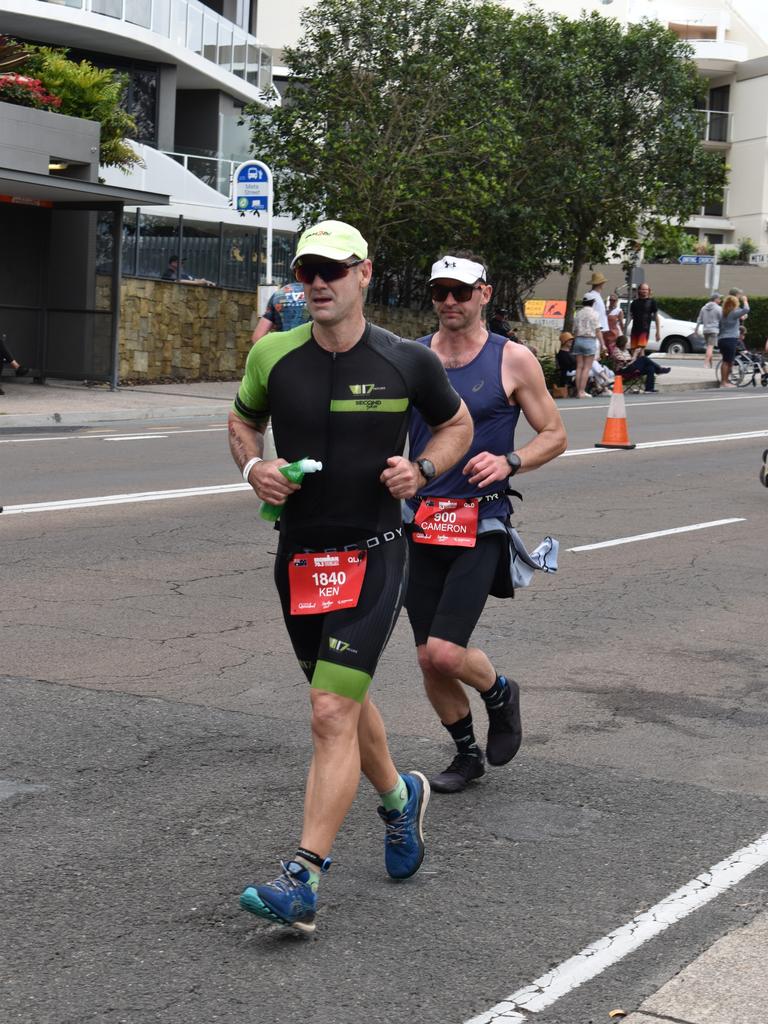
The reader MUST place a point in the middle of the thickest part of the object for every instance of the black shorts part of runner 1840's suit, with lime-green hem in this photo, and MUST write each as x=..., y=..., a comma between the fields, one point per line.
x=339, y=651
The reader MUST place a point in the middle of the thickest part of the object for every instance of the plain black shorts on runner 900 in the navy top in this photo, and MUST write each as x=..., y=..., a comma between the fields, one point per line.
x=449, y=587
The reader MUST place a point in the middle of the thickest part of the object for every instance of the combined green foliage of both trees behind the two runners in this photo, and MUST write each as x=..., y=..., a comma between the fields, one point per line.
x=540, y=141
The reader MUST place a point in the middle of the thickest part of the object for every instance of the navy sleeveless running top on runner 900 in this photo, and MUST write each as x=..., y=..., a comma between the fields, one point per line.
x=480, y=385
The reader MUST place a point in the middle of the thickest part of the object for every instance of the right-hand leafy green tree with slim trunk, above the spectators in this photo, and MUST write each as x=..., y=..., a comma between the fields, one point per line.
x=627, y=147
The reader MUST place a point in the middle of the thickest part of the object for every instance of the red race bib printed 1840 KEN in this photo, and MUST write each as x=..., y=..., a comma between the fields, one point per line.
x=326, y=581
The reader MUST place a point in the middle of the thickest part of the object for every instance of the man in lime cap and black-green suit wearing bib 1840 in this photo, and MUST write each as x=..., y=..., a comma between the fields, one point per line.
x=340, y=391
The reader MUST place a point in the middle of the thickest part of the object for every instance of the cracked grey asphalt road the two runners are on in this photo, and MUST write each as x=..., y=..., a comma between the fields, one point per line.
x=154, y=740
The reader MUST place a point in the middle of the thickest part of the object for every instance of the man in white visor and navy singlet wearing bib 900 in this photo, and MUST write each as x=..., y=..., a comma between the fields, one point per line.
x=458, y=532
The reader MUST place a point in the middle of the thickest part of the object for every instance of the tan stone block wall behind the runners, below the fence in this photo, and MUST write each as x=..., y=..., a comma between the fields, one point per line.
x=168, y=330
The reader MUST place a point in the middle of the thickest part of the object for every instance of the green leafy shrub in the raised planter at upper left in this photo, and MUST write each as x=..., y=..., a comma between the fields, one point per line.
x=87, y=92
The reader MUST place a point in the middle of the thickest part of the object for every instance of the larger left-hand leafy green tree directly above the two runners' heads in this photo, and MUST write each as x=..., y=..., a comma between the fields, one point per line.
x=396, y=119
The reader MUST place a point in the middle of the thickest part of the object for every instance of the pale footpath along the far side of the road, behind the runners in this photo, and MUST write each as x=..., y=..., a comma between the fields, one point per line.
x=73, y=404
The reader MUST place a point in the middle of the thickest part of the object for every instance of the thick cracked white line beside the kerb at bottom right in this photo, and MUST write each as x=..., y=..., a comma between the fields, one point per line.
x=611, y=949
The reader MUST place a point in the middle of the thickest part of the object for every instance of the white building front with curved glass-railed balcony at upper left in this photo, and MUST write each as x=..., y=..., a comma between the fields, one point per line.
x=191, y=71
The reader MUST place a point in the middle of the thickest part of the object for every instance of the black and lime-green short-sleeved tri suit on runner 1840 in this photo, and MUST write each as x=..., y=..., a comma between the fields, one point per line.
x=351, y=411
